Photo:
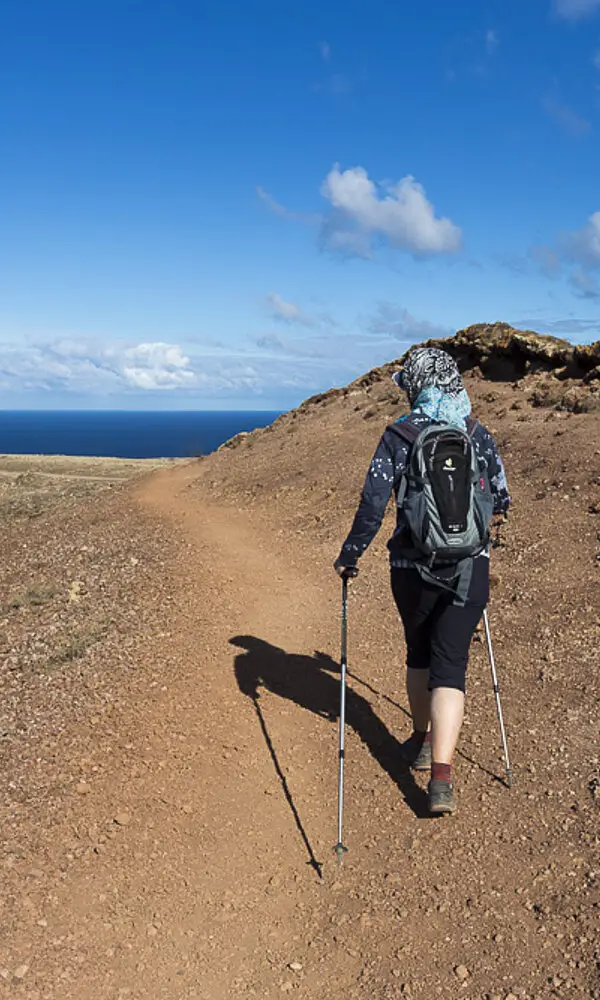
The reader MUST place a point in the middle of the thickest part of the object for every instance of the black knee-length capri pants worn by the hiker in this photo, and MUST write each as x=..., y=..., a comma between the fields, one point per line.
x=439, y=633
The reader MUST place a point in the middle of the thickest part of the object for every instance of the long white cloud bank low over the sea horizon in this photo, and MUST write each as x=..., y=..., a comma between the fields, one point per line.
x=263, y=370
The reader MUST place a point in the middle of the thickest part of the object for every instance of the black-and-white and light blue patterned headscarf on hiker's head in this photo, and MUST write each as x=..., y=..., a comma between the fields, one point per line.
x=434, y=386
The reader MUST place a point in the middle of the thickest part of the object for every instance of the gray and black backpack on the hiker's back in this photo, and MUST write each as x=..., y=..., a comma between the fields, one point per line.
x=446, y=501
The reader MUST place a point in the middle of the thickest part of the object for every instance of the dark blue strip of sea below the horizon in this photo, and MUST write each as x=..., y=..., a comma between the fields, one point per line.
x=122, y=433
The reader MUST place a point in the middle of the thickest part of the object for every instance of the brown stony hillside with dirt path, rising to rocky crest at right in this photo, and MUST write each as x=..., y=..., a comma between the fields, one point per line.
x=170, y=810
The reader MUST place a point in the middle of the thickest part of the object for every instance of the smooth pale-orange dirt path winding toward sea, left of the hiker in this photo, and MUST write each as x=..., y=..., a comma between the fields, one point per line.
x=257, y=783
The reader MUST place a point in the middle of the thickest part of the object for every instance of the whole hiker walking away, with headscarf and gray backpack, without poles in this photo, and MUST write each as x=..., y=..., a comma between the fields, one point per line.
x=440, y=600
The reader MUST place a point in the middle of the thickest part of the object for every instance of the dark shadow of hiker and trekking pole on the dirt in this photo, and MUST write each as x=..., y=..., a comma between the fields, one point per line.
x=313, y=682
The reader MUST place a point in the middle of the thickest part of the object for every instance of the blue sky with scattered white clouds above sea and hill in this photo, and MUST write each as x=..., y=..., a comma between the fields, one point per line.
x=235, y=205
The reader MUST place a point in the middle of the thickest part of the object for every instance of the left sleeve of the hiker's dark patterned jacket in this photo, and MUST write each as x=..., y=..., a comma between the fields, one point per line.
x=376, y=493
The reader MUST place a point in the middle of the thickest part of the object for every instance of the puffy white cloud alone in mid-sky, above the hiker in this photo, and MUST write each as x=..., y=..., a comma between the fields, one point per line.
x=400, y=215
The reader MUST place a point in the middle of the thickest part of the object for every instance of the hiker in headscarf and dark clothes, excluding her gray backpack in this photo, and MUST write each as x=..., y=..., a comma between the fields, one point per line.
x=440, y=602
